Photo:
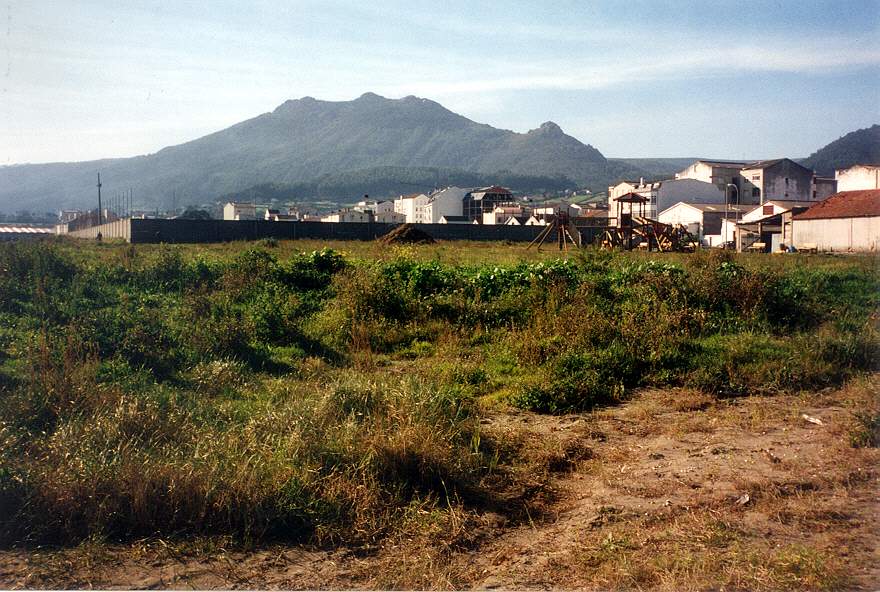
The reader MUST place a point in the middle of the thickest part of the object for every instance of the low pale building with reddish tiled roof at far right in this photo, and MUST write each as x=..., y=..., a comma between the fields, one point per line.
x=846, y=221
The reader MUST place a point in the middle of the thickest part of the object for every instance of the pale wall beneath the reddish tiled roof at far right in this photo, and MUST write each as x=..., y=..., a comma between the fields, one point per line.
x=839, y=234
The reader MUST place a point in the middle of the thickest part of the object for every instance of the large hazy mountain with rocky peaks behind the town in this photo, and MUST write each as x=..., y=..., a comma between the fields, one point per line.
x=303, y=141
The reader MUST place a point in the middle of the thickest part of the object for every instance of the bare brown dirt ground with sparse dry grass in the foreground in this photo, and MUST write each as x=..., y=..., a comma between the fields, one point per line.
x=671, y=490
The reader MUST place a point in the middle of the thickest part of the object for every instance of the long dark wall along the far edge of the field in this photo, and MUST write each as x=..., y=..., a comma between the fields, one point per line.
x=216, y=231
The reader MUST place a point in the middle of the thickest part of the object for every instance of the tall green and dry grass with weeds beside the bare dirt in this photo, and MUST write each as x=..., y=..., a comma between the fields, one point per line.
x=312, y=396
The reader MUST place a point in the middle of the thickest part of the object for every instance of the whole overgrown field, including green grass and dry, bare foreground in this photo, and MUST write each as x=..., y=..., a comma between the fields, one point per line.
x=417, y=403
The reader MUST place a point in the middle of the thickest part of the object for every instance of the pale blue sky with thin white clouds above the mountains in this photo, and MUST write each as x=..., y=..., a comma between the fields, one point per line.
x=82, y=80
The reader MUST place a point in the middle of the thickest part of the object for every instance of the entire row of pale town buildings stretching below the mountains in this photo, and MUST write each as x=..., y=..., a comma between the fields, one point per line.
x=721, y=202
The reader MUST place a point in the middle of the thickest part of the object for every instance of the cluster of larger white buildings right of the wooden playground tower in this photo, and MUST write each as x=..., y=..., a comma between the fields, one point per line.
x=731, y=202
